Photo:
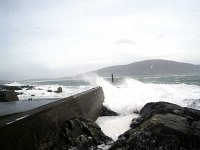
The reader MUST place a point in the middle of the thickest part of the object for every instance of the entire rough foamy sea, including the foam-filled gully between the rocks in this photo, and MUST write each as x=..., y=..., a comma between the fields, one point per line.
x=125, y=96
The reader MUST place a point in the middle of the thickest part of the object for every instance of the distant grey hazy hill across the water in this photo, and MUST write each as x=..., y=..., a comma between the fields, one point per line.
x=150, y=67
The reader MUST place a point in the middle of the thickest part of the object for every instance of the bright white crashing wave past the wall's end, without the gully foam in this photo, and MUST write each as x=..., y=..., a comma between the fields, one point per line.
x=131, y=94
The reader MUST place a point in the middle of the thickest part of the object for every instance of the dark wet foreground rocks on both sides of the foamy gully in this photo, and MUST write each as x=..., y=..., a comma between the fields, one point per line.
x=161, y=126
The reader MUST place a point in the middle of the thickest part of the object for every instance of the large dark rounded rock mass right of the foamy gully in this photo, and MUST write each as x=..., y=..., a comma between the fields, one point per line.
x=163, y=126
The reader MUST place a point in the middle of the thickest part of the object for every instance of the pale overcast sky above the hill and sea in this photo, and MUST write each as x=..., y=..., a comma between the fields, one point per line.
x=59, y=38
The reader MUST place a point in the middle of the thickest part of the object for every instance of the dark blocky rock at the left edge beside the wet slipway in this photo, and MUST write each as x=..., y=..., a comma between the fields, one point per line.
x=7, y=96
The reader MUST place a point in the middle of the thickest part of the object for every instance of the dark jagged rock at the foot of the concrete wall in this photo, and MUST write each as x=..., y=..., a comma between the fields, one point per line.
x=77, y=133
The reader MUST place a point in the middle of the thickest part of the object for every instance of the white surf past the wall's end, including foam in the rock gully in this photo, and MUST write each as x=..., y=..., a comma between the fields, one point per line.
x=130, y=95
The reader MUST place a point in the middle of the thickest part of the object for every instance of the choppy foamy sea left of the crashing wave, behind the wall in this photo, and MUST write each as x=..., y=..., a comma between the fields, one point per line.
x=41, y=88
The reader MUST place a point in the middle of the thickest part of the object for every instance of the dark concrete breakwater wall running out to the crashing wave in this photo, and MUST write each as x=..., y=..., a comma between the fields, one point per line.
x=39, y=124
